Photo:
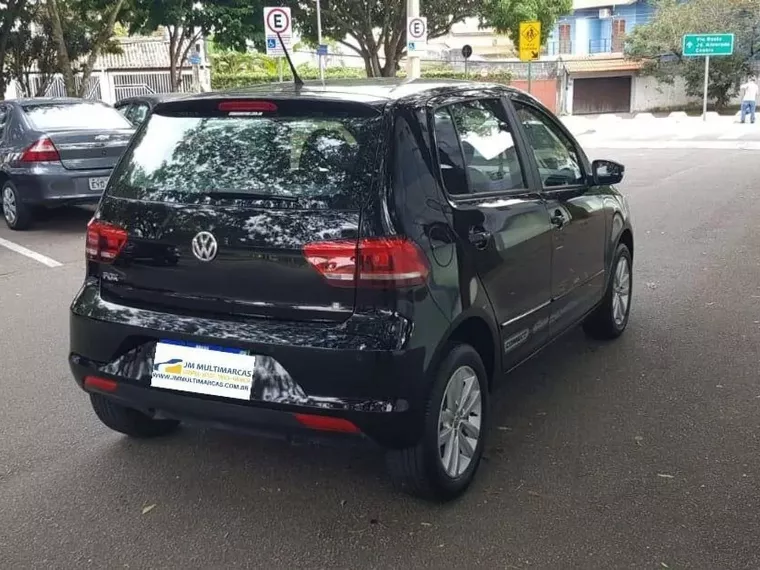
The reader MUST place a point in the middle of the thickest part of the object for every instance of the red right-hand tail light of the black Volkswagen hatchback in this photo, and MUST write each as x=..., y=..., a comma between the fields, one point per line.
x=372, y=262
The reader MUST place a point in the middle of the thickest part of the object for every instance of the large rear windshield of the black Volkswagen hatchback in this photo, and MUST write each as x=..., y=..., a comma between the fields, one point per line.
x=319, y=159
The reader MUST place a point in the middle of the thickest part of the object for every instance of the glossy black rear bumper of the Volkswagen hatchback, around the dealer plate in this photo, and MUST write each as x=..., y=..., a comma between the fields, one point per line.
x=301, y=368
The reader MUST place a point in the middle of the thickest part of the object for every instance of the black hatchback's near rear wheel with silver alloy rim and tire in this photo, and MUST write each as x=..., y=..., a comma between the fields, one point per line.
x=428, y=469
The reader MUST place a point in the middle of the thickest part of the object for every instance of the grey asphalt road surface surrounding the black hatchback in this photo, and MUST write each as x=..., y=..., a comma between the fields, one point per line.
x=638, y=454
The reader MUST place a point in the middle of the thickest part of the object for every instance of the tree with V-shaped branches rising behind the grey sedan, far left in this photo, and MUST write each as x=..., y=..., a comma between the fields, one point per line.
x=87, y=23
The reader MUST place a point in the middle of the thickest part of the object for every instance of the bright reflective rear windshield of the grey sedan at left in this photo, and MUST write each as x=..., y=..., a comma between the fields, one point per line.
x=75, y=116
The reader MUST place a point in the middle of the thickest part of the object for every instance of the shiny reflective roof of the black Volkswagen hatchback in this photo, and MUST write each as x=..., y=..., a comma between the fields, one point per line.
x=368, y=91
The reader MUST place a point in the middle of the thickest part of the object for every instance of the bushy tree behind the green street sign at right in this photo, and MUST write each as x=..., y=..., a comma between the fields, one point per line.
x=658, y=44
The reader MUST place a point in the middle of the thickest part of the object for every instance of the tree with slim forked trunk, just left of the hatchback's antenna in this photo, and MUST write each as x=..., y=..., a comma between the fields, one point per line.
x=233, y=23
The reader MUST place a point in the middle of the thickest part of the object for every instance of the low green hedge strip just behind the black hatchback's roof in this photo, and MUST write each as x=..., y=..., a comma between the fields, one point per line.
x=251, y=76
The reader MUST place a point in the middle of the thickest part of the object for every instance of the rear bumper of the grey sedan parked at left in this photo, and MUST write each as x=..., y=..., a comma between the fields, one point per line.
x=52, y=185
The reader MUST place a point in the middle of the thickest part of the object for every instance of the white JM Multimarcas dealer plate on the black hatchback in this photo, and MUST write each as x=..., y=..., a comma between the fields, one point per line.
x=210, y=370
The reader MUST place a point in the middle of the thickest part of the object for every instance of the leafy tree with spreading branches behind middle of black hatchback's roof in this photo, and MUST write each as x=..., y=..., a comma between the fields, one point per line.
x=370, y=27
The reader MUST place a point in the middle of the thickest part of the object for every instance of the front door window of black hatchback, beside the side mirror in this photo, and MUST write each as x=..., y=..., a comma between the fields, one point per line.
x=559, y=162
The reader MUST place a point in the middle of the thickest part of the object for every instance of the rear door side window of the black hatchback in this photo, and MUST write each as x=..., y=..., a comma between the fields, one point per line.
x=484, y=137
